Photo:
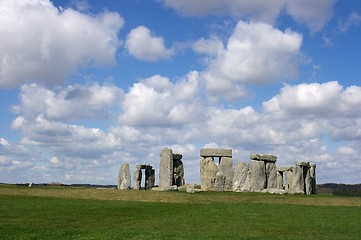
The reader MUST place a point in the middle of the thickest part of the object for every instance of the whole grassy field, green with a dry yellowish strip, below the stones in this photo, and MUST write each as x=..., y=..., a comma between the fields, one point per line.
x=86, y=213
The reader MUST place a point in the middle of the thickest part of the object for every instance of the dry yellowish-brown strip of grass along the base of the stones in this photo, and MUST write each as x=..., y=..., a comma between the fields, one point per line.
x=179, y=197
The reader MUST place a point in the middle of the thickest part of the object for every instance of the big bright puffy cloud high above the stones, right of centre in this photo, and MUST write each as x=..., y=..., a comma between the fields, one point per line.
x=255, y=53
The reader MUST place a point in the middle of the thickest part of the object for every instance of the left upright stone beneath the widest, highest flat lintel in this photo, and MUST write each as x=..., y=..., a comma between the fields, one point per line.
x=208, y=171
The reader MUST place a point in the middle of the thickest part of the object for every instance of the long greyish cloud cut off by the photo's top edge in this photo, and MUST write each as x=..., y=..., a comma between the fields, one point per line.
x=314, y=14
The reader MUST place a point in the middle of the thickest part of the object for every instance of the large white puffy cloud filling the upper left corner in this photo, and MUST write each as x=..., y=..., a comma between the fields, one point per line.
x=53, y=42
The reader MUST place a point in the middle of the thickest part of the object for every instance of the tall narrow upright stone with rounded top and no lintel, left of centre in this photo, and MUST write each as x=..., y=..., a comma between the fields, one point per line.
x=166, y=169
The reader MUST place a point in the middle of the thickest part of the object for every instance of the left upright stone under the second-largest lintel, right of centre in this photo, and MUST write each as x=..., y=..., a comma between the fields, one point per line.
x=258, y=179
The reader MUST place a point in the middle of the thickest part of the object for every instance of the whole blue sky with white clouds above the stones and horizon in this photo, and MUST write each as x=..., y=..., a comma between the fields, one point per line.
x=88, y=85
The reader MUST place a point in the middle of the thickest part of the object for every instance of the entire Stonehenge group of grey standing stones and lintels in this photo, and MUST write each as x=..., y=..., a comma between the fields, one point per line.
x=217, y=174
